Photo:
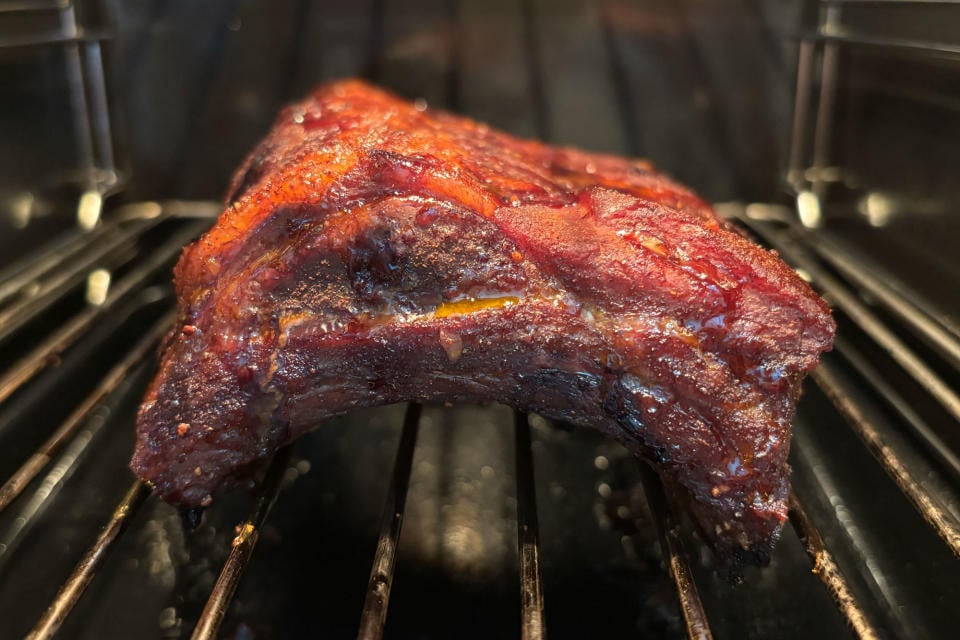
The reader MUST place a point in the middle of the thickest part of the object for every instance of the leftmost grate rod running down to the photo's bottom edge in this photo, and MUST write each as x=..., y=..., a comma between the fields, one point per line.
x=71, y=591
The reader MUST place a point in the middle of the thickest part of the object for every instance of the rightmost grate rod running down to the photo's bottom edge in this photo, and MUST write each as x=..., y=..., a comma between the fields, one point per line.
x=829, y=573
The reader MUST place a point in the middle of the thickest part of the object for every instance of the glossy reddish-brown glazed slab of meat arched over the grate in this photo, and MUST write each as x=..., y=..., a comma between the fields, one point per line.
x=375, y=252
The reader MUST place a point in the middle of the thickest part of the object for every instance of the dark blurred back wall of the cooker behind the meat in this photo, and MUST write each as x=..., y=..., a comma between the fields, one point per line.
x=702, y=87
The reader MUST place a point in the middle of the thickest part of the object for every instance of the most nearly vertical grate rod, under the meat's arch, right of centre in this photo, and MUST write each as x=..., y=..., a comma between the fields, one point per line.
x=532, y=623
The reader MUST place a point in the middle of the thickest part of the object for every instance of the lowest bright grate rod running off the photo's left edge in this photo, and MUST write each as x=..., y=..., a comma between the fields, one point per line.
x=29, y=470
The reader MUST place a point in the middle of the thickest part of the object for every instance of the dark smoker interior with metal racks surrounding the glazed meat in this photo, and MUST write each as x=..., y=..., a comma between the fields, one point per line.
x=709, y=91
